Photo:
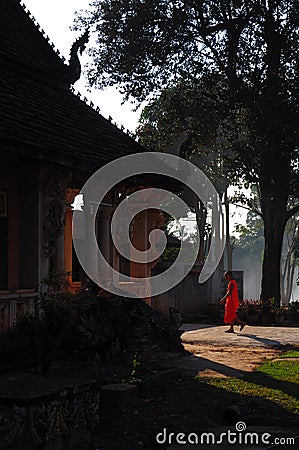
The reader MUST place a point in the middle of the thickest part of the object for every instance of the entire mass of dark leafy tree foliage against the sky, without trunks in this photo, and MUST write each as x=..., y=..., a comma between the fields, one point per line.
x=227, y=70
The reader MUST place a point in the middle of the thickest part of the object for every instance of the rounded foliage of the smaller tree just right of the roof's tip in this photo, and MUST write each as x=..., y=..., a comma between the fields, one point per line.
x=219, y=135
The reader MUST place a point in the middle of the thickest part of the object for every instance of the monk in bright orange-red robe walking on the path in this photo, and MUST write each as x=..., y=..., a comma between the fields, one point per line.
x=231, y=300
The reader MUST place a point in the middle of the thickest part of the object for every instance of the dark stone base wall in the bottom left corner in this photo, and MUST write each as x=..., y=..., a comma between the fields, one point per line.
x=62, y=421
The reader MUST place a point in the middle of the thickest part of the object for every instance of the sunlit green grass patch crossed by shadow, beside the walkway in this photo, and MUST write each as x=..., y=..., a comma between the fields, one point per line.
x=274, y=381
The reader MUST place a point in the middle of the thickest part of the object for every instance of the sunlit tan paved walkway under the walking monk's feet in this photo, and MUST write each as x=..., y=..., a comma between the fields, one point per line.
x=214, y=353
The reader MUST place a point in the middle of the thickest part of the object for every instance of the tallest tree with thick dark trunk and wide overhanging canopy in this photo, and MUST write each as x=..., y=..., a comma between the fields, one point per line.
x=144, y=46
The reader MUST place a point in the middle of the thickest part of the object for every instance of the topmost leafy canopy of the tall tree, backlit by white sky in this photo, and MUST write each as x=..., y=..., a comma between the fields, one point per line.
x=148, y=45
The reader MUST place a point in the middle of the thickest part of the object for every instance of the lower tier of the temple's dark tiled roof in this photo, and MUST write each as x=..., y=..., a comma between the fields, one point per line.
x=58, y=122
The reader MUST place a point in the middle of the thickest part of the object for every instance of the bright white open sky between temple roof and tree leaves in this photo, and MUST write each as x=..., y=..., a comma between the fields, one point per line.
x=56, y=17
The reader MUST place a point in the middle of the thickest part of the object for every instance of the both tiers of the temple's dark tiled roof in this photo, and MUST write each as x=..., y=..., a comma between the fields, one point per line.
x=54, y=122
